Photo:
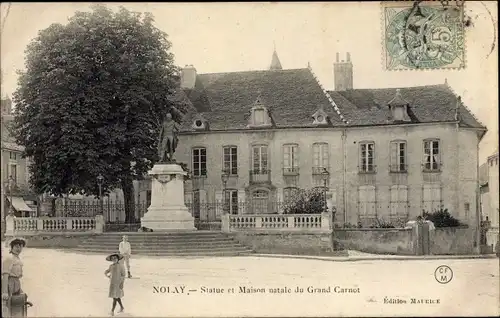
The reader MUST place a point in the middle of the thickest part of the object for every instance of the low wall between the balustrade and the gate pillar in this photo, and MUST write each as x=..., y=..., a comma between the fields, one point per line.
x=377, y=241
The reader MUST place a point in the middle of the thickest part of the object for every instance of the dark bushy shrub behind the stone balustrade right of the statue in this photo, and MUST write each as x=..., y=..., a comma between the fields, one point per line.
x=306, y=202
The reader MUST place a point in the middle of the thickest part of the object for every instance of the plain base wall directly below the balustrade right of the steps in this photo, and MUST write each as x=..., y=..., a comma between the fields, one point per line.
x=288, y=242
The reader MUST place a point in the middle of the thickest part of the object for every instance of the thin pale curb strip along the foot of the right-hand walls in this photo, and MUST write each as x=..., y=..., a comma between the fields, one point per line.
x=376, y=258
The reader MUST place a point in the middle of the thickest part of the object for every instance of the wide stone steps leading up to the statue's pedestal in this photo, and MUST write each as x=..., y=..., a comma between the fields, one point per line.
x=199, y=243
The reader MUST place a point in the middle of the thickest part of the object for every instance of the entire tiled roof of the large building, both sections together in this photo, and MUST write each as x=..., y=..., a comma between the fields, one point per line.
x=224, y=100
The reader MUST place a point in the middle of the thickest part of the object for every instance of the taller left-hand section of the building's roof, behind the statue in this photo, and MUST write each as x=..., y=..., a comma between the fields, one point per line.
x=225, y=99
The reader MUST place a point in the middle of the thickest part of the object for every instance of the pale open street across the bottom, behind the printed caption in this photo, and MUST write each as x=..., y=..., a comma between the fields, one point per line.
x=66, y=284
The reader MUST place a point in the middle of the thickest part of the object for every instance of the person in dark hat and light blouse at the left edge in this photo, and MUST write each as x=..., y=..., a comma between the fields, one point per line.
x=12, y=270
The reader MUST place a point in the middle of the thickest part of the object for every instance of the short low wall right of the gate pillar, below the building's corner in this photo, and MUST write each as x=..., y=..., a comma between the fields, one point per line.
x=453, y=241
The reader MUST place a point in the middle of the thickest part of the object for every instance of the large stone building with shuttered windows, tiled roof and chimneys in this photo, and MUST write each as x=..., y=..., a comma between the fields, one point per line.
x=389, y=153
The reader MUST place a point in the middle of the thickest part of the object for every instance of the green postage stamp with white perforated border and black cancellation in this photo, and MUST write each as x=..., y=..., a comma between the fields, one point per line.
x=423, y=35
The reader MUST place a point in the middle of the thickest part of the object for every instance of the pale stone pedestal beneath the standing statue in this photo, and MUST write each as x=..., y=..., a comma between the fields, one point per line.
x=167, y=211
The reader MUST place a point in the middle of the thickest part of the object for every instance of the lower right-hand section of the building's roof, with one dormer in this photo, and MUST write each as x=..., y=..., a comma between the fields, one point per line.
x=426, y=104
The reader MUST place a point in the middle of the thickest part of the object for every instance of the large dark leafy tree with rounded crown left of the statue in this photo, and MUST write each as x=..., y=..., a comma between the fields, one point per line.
x=91, y=99
